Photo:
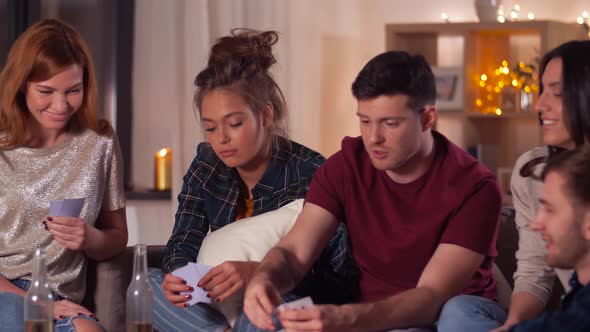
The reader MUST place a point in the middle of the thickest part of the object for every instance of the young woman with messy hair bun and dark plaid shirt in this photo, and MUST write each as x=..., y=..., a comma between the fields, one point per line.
x=246, y=167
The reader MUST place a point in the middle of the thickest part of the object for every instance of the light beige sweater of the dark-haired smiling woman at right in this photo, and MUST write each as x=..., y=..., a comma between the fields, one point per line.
x=532, y=275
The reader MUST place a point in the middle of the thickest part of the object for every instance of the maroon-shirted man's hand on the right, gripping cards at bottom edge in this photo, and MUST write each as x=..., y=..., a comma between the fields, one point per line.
x=318, y=318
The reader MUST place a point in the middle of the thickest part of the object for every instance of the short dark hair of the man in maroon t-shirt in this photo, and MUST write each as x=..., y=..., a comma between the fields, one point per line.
x=397, y=72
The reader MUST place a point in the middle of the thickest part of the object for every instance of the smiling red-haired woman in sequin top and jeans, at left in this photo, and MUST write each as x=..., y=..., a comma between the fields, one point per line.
x=53, y=147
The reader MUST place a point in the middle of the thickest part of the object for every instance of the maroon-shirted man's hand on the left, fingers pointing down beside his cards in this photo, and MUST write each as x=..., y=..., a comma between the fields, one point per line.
x=259, y=302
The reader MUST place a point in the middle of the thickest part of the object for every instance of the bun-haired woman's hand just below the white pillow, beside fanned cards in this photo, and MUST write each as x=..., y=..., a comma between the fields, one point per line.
x=226, y=278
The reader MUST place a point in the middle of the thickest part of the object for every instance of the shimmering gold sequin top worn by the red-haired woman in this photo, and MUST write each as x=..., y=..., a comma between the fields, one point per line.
x=84, y=165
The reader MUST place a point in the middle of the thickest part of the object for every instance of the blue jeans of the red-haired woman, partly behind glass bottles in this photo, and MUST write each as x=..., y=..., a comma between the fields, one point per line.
x=12, y=311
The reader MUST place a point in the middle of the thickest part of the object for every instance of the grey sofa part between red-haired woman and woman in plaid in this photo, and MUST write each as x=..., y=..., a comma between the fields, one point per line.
x=107, y=282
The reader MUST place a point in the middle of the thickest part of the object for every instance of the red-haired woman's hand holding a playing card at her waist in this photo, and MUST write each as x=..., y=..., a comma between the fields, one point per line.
x=70, y=232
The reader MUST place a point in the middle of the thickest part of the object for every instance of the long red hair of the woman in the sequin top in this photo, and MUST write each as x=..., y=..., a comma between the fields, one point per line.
x=42, y=51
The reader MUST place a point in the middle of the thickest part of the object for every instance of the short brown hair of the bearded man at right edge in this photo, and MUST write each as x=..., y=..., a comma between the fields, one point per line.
x=574, y=166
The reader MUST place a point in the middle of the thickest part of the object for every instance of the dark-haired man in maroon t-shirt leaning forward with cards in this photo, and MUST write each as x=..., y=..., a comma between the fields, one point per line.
x=422, y=214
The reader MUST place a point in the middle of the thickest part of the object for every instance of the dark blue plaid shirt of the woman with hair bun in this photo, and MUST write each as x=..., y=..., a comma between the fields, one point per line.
x=211, y=194
